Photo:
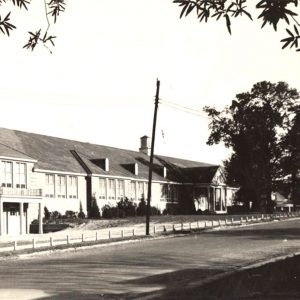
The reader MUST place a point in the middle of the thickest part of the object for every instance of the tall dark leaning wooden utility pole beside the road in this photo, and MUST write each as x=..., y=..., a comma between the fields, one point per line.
x=151, y=159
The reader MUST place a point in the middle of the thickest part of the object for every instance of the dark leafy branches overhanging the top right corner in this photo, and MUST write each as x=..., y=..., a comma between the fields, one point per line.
x=271, y=12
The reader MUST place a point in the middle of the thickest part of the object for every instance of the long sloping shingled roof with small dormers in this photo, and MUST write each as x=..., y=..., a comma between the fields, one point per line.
x=57, y=154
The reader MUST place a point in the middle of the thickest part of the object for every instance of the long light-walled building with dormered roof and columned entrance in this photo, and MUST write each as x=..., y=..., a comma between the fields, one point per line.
x=40, y=171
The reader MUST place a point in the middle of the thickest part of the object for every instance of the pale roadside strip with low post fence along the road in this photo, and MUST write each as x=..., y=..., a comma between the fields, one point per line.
x=72, y=237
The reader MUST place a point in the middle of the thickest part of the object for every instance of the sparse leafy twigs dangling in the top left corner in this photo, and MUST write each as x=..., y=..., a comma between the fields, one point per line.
x=52, y=7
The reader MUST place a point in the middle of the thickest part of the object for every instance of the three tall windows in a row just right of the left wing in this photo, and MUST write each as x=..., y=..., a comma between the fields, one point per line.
x=61, y=186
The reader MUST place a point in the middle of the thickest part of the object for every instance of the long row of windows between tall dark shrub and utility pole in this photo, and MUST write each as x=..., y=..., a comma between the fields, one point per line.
x=114, y=189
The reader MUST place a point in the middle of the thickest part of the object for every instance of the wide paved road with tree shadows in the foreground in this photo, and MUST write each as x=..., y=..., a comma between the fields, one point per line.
x=155, y=269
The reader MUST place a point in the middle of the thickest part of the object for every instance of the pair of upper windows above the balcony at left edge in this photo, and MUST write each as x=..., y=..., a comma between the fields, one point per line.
x=13, y=175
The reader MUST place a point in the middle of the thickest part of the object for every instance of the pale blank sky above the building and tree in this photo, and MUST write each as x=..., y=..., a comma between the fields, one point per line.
x=99, y=83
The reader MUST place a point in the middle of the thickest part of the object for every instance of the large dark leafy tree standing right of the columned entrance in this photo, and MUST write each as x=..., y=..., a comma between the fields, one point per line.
x=254, y=126
